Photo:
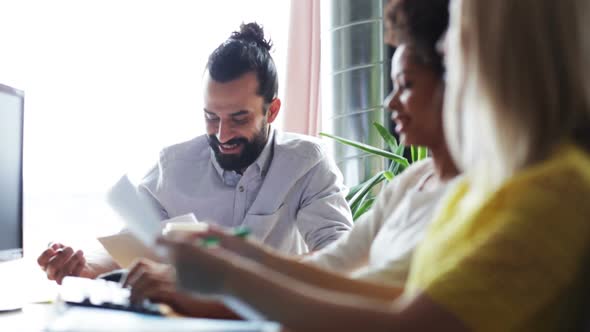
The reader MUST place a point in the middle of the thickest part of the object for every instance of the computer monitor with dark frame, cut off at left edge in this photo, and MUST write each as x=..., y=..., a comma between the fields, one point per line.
x=11, y=151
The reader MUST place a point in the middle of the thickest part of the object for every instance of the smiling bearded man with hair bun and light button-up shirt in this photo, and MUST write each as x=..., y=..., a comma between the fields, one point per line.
x=283, y=187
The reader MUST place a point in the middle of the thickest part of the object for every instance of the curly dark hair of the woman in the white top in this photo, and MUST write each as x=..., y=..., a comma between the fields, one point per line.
x=419, y=23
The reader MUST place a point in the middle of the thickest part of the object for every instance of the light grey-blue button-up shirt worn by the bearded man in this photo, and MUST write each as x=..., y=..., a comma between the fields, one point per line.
x=291, y=198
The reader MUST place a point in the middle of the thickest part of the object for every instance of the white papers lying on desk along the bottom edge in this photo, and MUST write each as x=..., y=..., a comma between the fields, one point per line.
x=103, y=320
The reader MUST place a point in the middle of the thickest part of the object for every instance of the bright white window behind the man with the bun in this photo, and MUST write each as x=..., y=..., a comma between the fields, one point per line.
x=107, y=85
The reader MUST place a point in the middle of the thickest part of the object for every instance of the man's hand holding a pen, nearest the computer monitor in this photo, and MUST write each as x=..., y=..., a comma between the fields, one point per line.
x=59, y=261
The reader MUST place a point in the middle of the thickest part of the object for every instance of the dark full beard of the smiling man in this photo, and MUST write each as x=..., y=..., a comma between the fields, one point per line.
x=250, y=151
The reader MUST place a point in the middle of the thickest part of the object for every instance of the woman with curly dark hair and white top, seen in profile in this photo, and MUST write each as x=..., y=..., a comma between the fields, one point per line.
x=380, y=246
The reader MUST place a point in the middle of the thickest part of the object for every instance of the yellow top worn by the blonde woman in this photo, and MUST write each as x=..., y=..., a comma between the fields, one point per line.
x=513, y=259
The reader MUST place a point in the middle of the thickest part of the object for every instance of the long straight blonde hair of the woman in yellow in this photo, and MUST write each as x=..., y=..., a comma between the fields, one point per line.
x=517, y=84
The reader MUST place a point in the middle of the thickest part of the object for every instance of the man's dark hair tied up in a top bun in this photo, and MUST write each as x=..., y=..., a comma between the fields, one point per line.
x=246, y=51
